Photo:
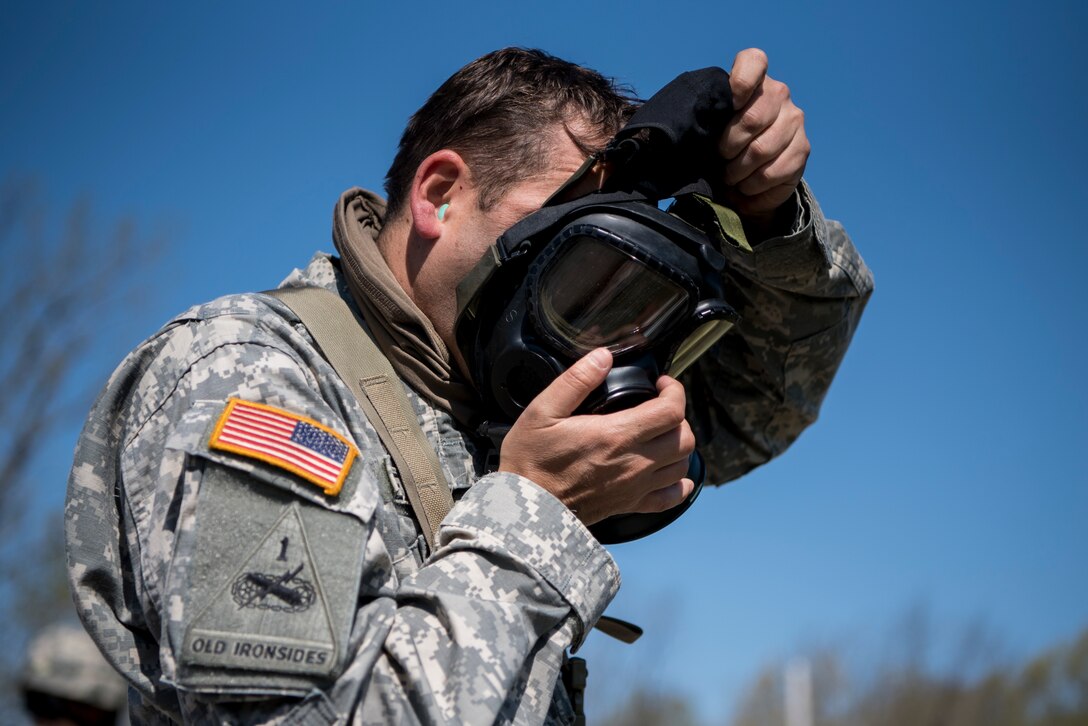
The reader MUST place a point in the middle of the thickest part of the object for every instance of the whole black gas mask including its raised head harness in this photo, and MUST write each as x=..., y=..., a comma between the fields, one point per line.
x=611, y=269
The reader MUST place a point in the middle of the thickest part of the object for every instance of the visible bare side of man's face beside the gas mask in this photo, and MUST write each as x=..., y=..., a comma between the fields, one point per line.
x=471, y=231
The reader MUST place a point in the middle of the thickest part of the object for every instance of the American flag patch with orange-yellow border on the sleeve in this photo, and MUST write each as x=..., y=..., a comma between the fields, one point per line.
x=296, y=444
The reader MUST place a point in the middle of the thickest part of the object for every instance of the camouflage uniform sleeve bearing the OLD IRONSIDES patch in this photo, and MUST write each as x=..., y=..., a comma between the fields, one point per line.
x=263, y=599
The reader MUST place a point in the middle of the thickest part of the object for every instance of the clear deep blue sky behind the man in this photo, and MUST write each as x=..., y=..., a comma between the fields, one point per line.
x=948, y=469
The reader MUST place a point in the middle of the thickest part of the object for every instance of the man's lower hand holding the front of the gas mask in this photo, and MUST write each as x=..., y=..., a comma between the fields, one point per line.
x=603, y=465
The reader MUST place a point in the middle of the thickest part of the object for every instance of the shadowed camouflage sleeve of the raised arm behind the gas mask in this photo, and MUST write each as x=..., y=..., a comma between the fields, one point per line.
x=800, y=298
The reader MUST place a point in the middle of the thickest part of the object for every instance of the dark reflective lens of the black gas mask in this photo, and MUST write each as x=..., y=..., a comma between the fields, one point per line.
x=592, y=294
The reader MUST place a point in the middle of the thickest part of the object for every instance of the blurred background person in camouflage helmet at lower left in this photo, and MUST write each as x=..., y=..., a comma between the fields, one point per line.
x=67, y=681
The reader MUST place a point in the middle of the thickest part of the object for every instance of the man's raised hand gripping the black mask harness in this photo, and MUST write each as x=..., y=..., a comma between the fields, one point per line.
x=765, y=145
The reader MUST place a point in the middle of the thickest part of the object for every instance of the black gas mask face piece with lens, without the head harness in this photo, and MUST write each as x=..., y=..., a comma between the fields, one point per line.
x=624, y=276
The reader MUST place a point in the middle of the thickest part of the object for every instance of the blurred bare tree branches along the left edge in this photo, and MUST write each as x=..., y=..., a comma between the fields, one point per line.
x=67, y=285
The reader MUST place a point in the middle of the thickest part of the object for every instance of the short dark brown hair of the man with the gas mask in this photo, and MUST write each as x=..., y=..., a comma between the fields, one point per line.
x=499, y=113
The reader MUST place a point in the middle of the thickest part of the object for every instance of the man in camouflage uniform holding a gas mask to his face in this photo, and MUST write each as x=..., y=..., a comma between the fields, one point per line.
x=254, y=523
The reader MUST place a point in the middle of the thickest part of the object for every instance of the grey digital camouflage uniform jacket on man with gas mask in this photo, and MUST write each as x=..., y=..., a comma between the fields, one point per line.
x=230, y=590
